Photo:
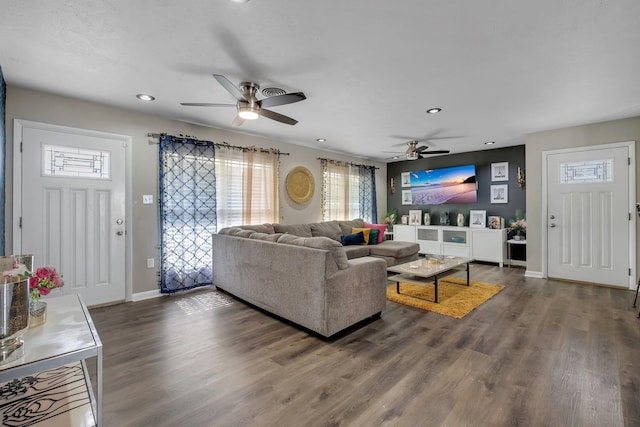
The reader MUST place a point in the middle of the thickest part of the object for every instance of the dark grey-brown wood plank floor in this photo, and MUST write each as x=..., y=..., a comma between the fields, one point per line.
x=540, y=353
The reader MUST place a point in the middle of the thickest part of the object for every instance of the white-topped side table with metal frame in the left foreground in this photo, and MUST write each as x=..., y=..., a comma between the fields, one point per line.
x=68, y=336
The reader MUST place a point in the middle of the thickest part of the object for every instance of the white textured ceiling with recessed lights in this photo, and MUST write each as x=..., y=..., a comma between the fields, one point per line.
x=370, y=69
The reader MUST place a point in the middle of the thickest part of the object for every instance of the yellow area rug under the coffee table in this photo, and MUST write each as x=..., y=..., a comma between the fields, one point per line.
x=455, y=298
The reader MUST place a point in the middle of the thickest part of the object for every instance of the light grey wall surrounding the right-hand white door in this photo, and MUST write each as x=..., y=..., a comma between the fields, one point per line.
x=578, y=136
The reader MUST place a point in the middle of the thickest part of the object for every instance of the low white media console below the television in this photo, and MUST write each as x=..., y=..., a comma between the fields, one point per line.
x=481, y=244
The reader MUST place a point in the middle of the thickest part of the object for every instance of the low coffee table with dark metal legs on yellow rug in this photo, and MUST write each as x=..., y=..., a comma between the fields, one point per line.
x=427, y=271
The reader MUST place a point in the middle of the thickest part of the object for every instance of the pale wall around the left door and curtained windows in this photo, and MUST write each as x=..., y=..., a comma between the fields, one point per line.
x=47, y=108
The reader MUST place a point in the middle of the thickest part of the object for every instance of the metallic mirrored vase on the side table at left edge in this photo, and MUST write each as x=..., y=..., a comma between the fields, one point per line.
x=14, y=316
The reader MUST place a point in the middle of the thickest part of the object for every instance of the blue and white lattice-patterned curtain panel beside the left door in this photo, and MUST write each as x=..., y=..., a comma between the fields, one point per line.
x=187, y=212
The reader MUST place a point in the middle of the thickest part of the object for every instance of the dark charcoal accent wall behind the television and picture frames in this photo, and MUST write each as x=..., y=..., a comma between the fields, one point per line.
x=482, y=160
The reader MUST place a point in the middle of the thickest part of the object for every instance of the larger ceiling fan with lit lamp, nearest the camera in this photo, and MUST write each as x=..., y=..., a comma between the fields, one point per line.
x=249, y=107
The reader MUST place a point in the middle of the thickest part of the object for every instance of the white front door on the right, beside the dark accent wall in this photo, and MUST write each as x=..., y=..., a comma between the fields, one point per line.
x=588, y=215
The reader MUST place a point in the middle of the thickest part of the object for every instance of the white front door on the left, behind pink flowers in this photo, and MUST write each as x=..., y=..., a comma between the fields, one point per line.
x=72, y=209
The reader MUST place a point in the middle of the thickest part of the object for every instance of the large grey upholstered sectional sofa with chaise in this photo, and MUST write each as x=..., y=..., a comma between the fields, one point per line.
x=302, y=272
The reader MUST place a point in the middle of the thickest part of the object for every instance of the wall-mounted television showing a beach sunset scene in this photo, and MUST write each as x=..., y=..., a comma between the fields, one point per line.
x=446, y=185
